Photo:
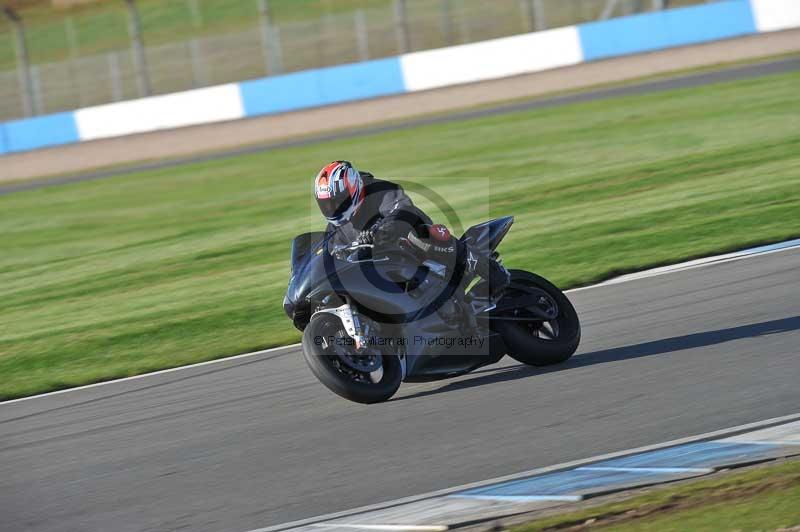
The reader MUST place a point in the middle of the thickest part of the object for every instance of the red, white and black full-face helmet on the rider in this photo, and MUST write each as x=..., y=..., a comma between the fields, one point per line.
x=339, y=190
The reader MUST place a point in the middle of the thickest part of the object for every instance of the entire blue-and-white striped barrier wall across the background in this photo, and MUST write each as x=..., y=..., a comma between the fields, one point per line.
x=521, y=54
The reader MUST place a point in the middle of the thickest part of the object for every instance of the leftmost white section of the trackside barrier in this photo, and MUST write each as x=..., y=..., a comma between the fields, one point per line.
x=200, y=106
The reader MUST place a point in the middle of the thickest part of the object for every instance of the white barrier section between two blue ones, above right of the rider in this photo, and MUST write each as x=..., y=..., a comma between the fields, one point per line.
x=499, y=58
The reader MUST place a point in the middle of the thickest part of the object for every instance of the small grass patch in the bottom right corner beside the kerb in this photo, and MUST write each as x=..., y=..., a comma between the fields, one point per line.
x=765, y=498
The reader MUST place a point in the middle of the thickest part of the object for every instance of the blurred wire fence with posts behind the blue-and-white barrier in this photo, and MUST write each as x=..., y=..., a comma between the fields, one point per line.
x=134, y=68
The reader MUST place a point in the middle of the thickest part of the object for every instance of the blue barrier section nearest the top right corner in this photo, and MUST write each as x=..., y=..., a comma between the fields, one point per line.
x=666, y=29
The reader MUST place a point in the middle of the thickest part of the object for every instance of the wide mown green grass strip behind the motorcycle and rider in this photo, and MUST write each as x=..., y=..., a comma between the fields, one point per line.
x=117, y=277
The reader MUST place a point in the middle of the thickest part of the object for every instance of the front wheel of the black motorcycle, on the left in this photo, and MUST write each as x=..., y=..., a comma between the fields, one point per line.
x=362, y=377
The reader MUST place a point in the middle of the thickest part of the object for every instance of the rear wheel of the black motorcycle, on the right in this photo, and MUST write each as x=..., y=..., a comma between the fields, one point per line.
x=530, y=339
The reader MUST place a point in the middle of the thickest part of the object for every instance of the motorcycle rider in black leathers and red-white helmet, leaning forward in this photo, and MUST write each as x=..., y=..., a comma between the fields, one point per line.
x=360, y=208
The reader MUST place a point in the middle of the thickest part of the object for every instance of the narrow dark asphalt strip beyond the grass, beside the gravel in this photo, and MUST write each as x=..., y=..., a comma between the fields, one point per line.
x=728, y=74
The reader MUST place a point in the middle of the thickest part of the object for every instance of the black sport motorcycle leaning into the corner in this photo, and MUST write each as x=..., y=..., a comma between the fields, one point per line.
x=373, y=318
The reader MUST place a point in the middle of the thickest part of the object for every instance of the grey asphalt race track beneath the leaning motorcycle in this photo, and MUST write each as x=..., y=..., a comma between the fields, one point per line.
x=257, y=441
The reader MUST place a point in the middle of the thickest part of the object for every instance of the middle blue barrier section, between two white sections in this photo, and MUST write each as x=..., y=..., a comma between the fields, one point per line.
x=324, y=86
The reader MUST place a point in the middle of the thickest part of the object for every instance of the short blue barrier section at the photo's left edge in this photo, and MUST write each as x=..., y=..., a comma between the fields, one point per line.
x=41, y=132
